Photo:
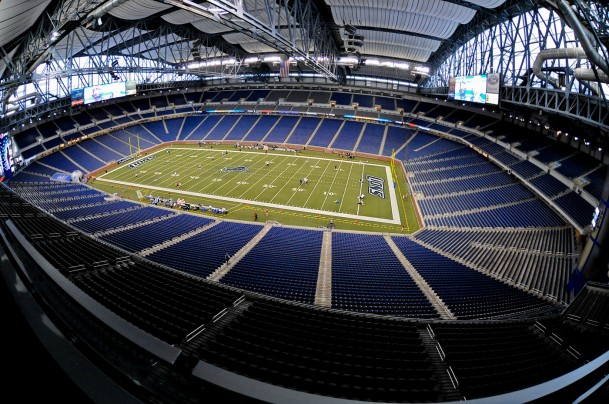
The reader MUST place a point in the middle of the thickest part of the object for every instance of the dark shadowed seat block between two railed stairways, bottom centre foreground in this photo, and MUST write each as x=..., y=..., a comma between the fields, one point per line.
x=288, y=347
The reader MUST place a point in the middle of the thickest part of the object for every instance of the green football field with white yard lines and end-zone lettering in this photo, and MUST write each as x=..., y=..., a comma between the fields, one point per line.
x=273, y=190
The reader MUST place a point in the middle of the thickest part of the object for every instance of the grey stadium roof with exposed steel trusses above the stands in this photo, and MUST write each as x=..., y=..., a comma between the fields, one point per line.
x=399, y=34
